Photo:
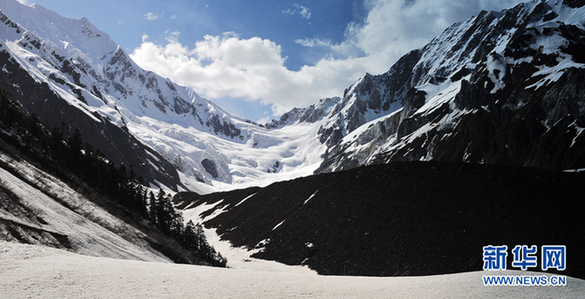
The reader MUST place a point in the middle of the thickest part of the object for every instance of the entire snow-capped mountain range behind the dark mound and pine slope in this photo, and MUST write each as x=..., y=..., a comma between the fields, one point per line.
x=501, y=87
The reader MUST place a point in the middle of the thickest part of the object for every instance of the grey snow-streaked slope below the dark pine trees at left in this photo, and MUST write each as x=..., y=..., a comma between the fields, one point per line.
x=38, y=208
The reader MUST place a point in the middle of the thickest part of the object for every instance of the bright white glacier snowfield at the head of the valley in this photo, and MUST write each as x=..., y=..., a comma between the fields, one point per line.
x=263, y=157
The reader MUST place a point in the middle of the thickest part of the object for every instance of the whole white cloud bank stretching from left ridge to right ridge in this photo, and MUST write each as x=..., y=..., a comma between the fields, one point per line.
x=253, y=69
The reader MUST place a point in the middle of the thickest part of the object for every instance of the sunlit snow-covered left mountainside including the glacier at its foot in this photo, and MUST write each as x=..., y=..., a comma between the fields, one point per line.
x=66, y=70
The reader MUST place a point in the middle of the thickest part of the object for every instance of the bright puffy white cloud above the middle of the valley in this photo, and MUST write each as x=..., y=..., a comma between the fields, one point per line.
x=227, y=66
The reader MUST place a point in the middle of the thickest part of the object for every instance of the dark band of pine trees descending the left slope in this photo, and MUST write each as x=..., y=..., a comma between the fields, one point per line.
x=73, y=157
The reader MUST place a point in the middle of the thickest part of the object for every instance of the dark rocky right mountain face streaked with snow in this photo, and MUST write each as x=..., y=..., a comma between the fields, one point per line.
x=503, y=113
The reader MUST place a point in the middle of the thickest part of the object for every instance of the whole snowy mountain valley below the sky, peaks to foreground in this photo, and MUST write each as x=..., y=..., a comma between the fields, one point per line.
x=404, y=173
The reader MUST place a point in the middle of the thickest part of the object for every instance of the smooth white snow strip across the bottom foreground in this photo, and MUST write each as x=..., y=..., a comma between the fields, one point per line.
x=30, y=271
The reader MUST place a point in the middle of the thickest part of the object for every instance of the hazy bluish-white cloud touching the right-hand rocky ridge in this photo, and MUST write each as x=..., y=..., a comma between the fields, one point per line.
x=394, y=27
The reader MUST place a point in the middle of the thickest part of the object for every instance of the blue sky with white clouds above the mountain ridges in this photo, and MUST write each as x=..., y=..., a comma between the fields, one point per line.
x=260, y=58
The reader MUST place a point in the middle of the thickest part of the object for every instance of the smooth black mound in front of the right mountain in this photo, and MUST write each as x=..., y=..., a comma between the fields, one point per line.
x=404, y=218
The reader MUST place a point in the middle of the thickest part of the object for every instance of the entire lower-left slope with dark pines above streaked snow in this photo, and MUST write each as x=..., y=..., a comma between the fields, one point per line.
x=56, y=192
